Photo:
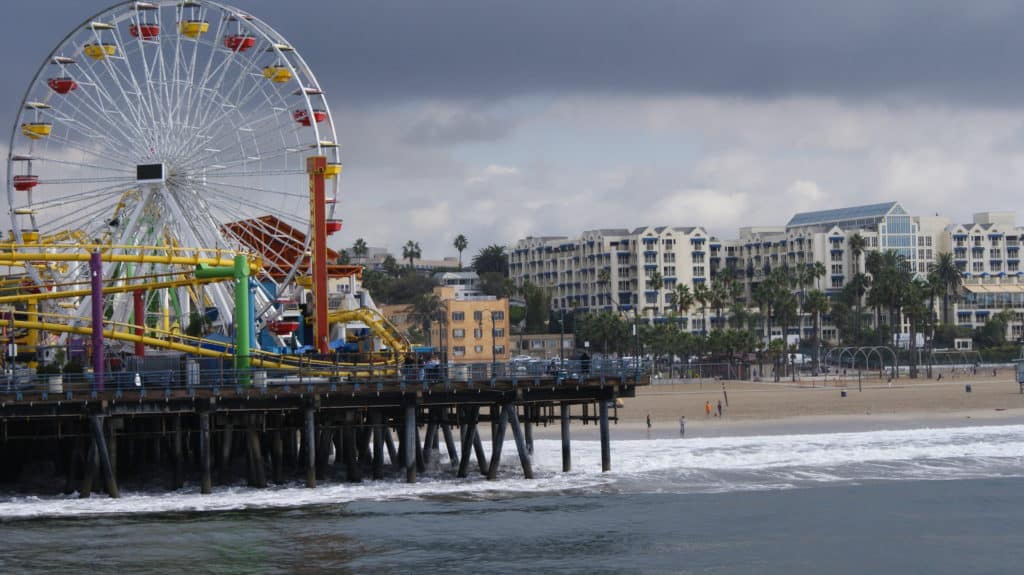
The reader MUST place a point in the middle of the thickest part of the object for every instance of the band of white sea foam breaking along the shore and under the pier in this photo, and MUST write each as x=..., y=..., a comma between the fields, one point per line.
x=685, y=466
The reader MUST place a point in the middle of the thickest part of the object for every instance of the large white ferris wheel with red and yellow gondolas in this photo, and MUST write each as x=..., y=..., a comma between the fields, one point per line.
x=178, y=124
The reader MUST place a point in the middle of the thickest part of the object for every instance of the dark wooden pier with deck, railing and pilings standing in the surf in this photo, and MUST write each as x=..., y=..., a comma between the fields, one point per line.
x=221, y=427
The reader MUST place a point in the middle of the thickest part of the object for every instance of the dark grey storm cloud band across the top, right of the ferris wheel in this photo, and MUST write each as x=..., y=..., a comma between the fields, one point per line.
x=472, y=50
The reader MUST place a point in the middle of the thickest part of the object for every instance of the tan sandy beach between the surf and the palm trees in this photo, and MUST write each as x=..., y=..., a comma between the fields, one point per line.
x=819, y=406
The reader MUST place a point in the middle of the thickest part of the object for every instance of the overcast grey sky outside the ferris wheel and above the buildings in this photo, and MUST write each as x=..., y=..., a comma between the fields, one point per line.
x=505, y=119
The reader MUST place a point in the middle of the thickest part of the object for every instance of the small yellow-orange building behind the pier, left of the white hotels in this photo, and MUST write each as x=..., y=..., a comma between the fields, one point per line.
x=476, y=328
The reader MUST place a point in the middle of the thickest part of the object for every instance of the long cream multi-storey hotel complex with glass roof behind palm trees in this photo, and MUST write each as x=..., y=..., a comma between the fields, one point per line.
x=988, y=251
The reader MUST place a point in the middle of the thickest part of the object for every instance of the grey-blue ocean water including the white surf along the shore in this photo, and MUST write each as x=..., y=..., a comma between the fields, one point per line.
x=904, y=501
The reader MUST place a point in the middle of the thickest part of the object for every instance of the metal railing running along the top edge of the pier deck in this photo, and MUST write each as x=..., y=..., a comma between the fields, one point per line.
x=23, y=384
